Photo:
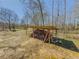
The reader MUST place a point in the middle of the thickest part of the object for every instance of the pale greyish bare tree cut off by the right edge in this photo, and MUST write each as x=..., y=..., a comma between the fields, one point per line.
x=76, y=13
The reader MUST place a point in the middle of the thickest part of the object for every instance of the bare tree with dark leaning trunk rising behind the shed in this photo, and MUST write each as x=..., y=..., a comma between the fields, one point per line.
x=34, y=7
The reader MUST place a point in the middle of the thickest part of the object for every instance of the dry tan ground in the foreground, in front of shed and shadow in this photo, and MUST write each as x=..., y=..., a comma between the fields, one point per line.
x=18, y=45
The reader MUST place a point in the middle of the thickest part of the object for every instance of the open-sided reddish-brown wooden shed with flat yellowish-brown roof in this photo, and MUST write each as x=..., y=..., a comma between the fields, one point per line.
x=43, y=32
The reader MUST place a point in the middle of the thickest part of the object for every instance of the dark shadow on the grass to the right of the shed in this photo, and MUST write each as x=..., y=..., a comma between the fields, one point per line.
x=64, y=43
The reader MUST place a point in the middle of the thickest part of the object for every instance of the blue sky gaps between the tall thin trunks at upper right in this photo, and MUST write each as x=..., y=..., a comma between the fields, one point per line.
x=70, y=4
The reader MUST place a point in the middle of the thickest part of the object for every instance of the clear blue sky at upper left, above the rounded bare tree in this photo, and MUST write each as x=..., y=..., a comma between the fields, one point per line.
x=14, y=5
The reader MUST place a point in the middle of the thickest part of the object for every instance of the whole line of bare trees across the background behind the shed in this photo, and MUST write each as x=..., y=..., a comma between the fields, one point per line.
x=37, y=13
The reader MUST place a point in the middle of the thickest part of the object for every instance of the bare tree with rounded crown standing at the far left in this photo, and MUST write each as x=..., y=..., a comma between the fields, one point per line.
x=8, y=17
